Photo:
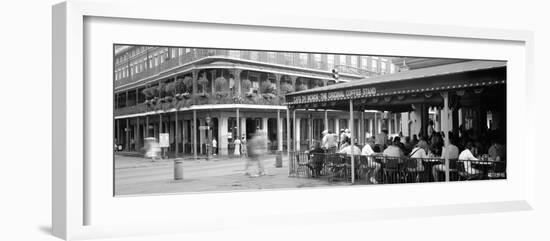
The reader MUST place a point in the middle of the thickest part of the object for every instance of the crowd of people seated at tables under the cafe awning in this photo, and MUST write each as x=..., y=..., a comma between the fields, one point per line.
x=463, y=145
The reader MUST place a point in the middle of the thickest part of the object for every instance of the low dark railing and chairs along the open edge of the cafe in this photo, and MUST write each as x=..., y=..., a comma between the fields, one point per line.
x=380, y=169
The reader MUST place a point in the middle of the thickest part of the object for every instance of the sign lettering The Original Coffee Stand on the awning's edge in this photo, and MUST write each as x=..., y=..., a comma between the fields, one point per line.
x=340, y=94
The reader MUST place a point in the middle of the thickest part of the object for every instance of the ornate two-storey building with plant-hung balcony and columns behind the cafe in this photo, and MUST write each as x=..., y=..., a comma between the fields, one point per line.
x=197, y=95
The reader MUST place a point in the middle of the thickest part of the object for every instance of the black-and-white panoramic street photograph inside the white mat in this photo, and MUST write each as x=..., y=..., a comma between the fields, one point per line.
x=194, y=120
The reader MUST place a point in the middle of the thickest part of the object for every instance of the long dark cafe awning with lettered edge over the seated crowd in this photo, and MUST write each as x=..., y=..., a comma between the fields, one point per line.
x=403, y=88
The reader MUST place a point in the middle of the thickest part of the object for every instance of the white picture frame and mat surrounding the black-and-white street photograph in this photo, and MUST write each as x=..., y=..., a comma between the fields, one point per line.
x=73, y=187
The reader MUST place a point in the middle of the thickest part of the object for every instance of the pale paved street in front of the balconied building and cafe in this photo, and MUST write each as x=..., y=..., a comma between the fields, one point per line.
x=134, y=175
